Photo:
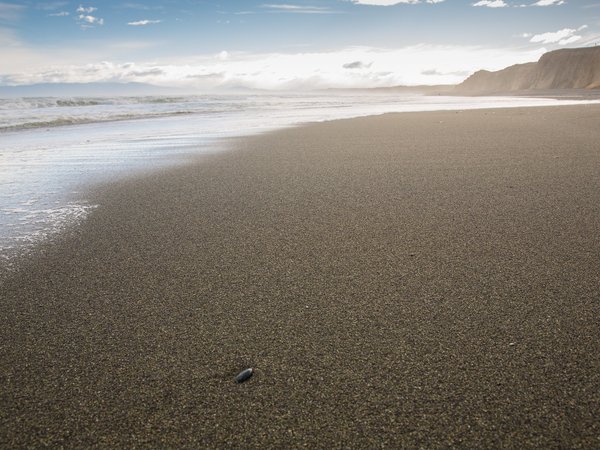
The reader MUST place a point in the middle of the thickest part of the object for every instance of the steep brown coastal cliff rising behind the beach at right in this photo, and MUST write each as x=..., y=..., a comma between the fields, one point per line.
x=577, y=68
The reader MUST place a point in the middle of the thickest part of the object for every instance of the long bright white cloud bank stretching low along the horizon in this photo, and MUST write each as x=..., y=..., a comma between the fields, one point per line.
x=349, y=67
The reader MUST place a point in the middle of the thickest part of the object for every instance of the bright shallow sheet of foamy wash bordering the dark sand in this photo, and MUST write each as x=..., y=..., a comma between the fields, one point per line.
x=34, y=212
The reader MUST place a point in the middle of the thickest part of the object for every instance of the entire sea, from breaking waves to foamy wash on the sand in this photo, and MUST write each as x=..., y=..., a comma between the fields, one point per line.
x=53, y=150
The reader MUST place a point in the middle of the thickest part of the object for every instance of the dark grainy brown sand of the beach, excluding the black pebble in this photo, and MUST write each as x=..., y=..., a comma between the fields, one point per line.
x=416, y=279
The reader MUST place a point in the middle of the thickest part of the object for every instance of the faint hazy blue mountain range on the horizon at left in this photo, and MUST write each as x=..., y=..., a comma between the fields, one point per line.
x=86, y=90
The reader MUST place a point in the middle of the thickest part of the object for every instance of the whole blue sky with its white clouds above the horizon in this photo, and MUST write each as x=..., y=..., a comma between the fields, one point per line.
x=290, y=44
